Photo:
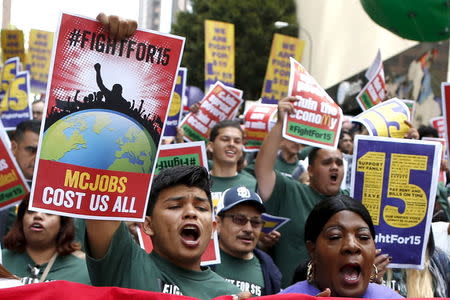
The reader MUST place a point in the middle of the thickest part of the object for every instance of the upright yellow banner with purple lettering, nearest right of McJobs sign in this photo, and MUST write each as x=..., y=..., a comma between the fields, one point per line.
x=219, y=53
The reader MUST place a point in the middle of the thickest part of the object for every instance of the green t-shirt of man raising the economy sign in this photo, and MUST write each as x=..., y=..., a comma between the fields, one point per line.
x=294, y=200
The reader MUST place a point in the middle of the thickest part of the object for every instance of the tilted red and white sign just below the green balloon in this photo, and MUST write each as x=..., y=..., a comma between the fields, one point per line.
x=374, y=91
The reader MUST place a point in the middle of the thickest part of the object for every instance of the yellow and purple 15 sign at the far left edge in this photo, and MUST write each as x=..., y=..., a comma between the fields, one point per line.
x=14, y=103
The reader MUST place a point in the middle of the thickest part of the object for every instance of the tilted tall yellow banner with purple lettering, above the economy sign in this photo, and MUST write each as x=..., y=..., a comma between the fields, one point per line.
x=276, y=81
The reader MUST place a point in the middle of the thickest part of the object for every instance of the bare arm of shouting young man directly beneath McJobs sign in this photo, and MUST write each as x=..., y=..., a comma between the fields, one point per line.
x=99, y=235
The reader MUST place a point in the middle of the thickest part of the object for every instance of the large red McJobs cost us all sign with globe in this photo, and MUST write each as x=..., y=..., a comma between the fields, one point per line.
x=99, y=140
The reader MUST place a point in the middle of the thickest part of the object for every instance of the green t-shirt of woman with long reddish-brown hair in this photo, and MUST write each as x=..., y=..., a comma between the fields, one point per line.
x=68, y=267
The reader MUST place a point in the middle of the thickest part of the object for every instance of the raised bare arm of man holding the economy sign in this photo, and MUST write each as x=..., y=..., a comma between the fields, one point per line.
x=265, y=161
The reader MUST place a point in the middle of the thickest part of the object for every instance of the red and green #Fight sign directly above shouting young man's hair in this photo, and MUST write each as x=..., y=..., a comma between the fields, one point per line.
x=181, y=154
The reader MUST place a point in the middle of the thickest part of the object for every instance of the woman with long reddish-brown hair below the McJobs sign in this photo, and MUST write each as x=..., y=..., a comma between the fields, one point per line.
x=40, y=247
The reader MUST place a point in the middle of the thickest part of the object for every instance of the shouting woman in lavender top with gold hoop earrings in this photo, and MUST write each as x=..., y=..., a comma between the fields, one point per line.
x=339, y=236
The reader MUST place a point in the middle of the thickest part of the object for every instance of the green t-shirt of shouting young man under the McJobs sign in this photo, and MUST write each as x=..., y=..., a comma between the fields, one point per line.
x=127, y=265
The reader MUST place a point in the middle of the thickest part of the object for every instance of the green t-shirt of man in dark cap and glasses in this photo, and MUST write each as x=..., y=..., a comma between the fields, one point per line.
x=245, y=274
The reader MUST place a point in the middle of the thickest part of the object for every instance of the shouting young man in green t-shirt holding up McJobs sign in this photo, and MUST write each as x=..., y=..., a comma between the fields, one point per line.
x=179, y=222
